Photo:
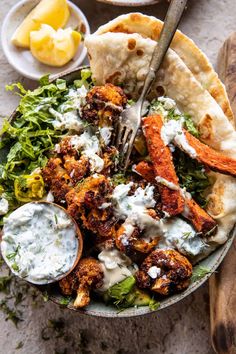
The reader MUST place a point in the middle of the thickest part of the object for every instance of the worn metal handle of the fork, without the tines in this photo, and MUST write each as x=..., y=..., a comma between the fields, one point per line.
x=171, y=22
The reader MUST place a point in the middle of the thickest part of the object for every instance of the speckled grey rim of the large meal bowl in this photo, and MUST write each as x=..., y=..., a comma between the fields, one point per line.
x=220, y=252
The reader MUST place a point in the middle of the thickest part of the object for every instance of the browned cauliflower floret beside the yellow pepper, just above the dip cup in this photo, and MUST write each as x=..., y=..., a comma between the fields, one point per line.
x=57, y=179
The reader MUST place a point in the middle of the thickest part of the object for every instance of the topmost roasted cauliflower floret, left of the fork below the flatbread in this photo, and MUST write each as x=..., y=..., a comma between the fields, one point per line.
x=103, y=105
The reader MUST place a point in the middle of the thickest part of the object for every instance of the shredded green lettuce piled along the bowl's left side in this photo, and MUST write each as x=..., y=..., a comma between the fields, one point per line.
x=30, y=137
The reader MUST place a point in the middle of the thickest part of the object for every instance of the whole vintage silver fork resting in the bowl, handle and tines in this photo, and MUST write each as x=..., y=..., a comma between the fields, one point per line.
x=130, y=118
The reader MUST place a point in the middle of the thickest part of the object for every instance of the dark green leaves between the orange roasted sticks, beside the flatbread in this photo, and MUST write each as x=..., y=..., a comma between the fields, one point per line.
x=192, y=176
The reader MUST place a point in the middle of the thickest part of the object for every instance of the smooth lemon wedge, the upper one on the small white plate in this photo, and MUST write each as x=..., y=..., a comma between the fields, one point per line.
x=52, y=12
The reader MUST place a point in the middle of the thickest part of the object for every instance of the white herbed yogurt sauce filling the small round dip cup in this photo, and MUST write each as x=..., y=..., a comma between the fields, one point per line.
x=39, y=242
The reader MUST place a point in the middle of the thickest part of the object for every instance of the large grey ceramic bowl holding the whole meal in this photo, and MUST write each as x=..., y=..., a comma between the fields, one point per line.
x=99, y=309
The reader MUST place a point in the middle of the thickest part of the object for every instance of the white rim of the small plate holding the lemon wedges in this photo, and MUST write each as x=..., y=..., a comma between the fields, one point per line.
x=5, y=42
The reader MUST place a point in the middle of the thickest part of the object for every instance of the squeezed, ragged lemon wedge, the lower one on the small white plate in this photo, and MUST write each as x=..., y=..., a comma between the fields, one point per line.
x=54, y=48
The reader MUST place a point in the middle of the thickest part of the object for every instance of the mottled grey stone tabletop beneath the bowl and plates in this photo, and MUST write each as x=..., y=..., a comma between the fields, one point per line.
x=181, y=329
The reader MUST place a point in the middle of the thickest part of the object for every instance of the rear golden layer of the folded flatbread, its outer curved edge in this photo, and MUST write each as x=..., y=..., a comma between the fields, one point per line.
x=194, y=58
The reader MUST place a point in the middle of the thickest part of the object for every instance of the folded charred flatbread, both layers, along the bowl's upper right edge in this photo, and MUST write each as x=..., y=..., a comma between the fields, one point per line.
x=114, y=58
